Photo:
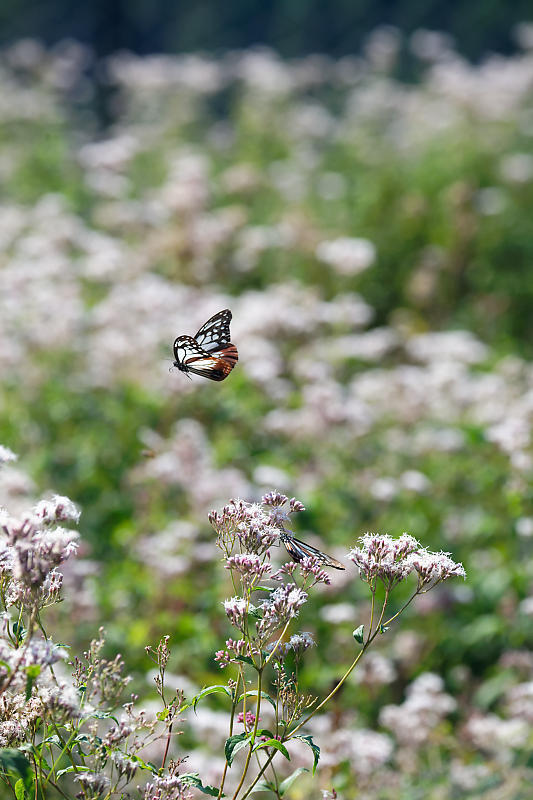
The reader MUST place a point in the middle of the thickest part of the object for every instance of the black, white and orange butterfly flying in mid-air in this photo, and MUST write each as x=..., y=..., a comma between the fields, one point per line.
x=209, y=352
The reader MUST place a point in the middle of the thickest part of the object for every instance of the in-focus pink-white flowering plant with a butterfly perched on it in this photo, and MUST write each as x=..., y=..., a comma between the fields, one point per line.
x=264, y=605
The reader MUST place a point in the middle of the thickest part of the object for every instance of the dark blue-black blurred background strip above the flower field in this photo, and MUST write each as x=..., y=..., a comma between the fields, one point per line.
x=292, y=27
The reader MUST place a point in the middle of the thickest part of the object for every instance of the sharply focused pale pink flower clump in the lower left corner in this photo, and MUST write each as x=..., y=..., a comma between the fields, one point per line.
x=64, y=726
